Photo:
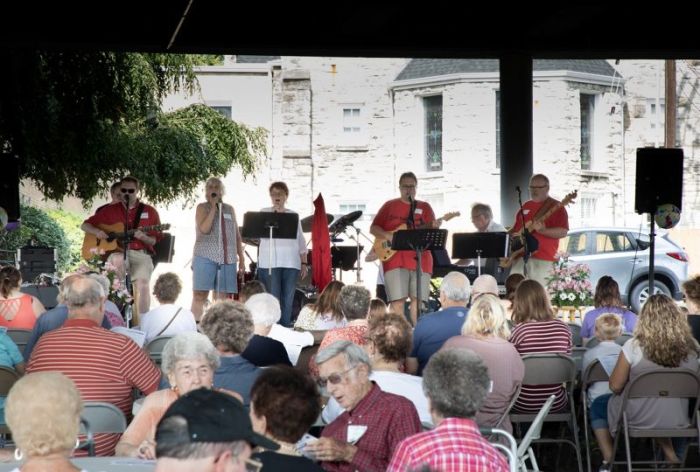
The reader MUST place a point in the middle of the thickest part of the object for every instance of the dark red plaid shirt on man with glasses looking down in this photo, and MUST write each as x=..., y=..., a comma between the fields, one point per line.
x=389, y=419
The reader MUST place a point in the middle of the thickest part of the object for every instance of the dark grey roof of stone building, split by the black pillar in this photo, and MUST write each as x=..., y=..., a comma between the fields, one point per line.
x=420, y=68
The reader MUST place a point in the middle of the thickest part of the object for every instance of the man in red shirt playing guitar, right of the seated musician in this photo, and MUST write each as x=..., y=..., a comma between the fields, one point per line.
x=547, y=231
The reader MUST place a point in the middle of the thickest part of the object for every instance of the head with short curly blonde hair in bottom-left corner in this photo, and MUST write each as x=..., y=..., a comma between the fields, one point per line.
x=43, y=413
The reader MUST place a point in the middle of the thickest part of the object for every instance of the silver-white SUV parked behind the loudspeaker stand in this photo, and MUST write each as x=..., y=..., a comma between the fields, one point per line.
x=623, y=254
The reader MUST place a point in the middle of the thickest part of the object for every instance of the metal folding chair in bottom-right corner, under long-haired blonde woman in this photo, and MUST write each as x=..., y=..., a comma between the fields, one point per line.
x=662, y=383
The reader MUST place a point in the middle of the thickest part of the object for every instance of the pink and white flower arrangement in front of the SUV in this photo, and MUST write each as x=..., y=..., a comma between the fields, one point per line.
x=569, y=285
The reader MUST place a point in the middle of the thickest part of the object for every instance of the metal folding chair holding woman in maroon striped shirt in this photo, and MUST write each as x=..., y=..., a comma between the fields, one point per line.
x=551, y=369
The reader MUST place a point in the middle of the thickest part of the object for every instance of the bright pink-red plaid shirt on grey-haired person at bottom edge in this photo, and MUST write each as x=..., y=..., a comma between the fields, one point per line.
x=454, y=446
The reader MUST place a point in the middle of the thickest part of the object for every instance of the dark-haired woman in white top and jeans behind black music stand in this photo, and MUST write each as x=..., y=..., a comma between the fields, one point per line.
x=287, y=256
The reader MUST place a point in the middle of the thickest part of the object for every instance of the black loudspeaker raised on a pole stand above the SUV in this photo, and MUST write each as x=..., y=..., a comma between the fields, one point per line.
x=659, y=179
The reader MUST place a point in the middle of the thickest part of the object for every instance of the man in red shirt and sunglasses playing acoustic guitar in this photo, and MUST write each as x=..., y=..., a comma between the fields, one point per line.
x=140, y=248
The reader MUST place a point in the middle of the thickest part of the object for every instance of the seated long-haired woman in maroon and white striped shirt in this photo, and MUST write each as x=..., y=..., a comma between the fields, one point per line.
x=538, y=331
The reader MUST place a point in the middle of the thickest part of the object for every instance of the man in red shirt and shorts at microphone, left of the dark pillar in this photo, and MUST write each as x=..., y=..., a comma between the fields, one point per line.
x=400, y=269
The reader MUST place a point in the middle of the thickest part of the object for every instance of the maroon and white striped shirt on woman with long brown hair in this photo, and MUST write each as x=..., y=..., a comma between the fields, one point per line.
x=552, y=336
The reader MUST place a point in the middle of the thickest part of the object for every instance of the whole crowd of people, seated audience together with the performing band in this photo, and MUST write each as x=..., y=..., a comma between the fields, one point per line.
x=386, y=390
